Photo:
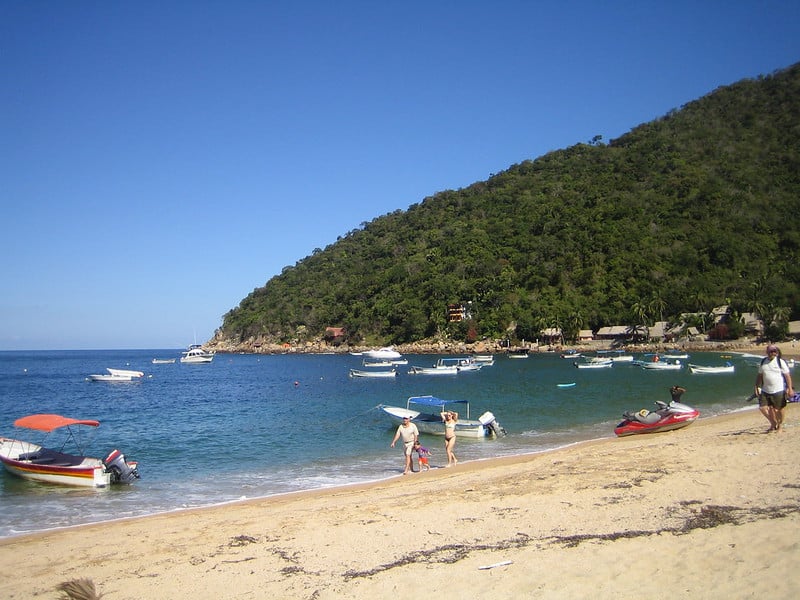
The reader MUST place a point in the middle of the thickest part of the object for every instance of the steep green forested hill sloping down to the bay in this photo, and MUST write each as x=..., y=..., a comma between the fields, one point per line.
x=696, y=209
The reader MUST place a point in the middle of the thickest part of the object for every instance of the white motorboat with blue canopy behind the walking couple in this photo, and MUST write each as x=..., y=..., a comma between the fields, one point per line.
x=425, y=413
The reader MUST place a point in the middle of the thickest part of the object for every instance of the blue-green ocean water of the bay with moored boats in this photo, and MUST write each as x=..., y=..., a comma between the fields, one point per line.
x=248, y=426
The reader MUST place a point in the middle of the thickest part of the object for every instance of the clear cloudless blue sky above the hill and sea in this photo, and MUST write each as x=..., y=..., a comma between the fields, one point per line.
x=160, y=160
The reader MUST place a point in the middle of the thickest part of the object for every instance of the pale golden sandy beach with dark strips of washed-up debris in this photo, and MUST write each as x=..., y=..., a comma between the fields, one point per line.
x=709, y=511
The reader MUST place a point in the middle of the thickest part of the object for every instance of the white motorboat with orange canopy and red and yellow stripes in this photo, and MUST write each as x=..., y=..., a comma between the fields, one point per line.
x=38, y=463
